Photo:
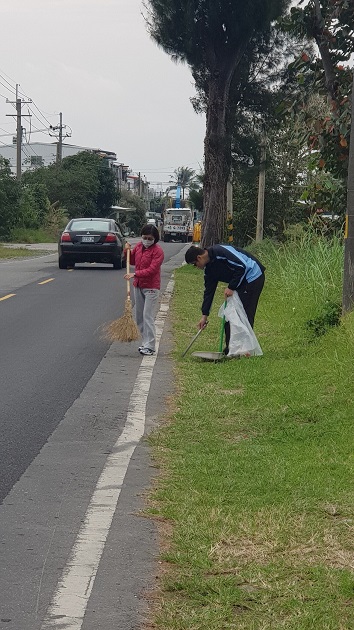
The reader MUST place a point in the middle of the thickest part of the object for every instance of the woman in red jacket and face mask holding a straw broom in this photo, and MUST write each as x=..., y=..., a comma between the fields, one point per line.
x=147, y=257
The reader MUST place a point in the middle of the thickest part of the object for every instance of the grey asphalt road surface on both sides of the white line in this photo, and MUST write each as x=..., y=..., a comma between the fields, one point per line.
x=64, y=396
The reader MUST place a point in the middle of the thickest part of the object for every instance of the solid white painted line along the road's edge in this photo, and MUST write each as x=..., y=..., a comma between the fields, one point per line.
x=69, y=603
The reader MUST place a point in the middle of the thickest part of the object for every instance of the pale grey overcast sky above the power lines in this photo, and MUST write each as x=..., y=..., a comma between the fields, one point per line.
x=94, y=61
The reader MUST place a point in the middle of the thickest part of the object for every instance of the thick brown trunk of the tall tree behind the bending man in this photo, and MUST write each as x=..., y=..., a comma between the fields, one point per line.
x=217, y=158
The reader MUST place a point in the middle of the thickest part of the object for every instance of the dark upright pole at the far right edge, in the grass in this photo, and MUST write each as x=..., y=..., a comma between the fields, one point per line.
x=348, y=279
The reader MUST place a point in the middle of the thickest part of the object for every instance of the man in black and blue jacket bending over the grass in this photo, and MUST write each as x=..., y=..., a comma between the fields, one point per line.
x=241, y=271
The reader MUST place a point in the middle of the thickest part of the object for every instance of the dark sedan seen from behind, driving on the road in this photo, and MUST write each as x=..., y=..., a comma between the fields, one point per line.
x=91, y=240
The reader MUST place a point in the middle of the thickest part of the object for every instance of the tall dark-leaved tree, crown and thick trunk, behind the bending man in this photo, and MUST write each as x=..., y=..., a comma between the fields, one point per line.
x=212, y=37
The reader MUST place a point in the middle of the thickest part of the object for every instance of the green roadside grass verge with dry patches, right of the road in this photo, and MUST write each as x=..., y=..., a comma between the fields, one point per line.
x=256, y=494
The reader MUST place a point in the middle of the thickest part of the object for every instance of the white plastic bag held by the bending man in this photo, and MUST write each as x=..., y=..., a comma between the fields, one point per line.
x=243, y=341
